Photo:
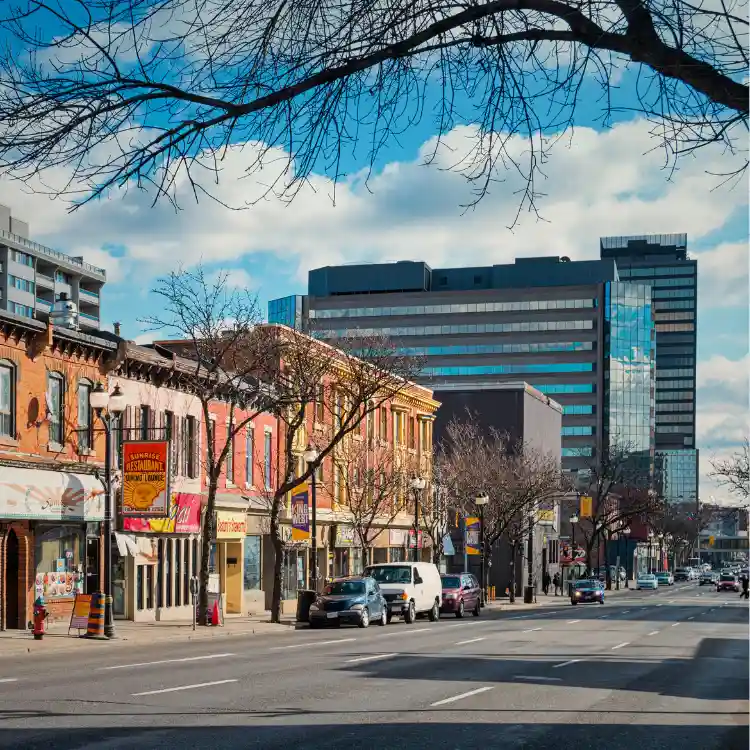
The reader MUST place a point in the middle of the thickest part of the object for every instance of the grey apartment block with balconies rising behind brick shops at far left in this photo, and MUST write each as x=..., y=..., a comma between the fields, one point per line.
x=32, y=276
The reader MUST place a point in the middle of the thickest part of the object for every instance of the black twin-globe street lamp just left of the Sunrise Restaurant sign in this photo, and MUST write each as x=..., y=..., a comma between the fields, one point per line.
x=114, y=404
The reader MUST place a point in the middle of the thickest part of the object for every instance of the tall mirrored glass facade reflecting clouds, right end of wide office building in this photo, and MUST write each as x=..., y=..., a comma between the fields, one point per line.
x=629, y=366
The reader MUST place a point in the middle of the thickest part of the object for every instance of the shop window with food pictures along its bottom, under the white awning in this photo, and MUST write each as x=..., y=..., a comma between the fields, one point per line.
x=59, y=555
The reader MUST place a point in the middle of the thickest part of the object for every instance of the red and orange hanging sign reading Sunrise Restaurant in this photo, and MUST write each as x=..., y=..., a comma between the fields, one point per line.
x=145, y=478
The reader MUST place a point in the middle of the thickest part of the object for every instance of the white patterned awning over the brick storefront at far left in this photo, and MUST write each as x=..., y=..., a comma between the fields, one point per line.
x=50, y=495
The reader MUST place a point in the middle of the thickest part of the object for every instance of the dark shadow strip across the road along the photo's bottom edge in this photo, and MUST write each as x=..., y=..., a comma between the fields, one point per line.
x=454, y=735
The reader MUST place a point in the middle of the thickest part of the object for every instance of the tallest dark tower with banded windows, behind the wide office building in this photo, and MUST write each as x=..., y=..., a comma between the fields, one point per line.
x=661, y=261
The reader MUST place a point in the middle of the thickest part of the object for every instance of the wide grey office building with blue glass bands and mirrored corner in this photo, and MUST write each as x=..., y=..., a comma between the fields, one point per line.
x=573, y=330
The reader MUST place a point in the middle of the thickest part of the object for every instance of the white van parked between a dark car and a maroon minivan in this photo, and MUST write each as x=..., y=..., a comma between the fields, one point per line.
x=409, y=588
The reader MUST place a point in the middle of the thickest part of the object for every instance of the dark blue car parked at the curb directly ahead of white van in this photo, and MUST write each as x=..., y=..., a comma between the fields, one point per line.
x=356, y=600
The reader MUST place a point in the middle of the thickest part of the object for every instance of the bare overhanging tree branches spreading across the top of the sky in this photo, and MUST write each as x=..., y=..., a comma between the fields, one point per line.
x=156, y=91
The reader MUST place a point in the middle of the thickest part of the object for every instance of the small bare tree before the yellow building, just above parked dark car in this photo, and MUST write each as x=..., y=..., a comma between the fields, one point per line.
x=375, y=482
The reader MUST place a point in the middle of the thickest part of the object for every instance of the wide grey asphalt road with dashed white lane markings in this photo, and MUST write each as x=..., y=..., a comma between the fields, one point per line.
x=646, y=670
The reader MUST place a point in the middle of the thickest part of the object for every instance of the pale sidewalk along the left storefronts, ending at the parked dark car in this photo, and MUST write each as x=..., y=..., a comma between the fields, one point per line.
x=130, y=634
